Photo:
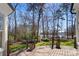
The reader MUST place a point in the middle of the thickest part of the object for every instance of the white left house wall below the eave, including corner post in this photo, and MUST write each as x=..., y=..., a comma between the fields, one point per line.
x=4, y=34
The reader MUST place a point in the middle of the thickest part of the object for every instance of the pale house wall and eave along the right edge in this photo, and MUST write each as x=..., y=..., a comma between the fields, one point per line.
x=76, y=10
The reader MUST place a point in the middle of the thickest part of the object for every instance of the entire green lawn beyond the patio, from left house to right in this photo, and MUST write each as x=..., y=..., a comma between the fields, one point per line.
x=19, y=46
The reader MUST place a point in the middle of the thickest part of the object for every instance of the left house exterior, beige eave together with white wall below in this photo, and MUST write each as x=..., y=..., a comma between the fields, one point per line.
x=5, y=10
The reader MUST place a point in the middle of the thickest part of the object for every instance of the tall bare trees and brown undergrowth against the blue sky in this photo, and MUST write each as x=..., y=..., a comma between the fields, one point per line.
x=40, y=17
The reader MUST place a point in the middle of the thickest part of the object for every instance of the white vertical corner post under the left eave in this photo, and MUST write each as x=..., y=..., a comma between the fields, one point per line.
x=5, y=35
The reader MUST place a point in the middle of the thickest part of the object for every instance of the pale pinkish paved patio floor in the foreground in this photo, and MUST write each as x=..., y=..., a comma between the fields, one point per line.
x=47, y=51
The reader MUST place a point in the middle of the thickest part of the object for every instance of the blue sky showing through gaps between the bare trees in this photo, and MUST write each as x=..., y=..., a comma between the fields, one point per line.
x=23, y=7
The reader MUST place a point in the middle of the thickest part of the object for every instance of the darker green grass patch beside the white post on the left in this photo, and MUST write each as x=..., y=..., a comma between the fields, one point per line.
x=16, y=47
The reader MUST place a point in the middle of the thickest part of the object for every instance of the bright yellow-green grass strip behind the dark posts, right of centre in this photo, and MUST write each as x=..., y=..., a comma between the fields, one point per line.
x=62, y=43
